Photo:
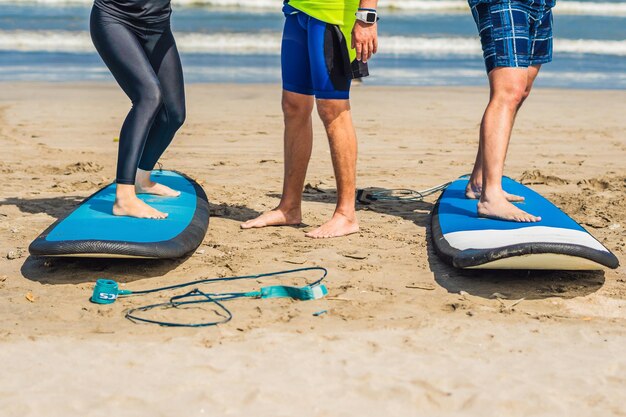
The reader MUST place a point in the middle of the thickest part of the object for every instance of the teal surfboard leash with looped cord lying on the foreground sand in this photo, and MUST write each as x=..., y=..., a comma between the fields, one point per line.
x=107, y=291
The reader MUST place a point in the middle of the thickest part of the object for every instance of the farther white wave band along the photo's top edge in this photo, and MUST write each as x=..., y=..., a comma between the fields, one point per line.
x=563, y=7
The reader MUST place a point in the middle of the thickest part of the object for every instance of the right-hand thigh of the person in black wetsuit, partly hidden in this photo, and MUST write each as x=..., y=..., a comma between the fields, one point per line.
x=165, y=60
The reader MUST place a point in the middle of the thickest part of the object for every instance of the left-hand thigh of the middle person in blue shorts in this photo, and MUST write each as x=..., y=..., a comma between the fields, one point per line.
x=295, y=64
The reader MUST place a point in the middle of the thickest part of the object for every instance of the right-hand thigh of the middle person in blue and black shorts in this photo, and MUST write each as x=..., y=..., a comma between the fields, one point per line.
x=330, y=62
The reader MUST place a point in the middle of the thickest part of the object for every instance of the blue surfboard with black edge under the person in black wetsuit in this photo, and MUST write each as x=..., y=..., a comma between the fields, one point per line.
x=91, y=230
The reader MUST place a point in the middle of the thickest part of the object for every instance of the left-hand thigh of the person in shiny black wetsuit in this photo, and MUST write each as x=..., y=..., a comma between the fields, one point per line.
x=122, y=52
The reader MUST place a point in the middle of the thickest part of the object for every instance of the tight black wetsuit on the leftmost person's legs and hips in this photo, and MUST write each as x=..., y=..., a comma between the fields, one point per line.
x=135, y=41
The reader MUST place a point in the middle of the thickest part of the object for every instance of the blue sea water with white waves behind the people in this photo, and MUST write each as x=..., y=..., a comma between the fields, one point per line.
x=422, y=42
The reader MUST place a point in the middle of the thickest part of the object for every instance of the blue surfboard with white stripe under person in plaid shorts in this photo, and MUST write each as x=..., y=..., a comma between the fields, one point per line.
x=557, y=242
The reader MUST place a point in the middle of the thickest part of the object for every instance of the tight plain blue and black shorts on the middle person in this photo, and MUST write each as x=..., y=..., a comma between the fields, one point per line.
x=314, y=57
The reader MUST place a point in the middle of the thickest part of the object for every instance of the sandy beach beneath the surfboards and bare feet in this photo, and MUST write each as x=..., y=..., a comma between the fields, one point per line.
x=404, y=334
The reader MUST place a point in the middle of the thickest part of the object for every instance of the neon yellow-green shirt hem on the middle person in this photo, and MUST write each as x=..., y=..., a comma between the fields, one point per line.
x=335, y=12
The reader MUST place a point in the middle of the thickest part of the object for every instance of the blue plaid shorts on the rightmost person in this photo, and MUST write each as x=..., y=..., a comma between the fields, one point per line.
x=514, y=34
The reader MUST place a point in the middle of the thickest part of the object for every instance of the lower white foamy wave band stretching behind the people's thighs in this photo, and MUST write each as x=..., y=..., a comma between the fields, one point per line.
x=269, y=44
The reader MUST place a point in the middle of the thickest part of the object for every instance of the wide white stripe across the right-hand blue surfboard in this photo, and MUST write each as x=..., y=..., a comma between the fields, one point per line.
x=490, y=239
